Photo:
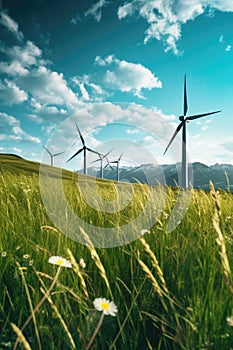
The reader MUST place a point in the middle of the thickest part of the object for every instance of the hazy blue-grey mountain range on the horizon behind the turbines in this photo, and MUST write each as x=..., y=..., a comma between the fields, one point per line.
x=220, y=174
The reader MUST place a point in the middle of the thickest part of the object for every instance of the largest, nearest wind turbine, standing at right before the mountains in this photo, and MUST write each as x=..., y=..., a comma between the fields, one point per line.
x=183, y=120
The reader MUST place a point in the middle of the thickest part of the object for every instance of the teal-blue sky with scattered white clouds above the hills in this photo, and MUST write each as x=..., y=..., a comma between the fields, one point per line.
x=116, y=69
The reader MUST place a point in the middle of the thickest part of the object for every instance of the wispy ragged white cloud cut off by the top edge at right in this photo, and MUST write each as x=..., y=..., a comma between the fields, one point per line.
x=166, y=17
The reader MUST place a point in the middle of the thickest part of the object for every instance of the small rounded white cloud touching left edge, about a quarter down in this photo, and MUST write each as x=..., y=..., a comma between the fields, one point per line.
x=11, y=94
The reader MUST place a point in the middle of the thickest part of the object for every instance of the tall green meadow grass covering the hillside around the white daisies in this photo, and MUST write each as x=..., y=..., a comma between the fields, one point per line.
x=172, y=290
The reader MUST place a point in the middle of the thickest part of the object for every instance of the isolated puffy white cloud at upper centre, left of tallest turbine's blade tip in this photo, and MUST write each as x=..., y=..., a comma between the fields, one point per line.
x=127, y=76
